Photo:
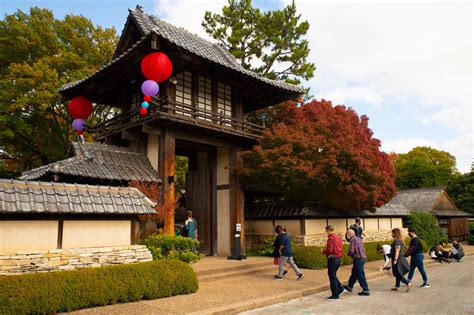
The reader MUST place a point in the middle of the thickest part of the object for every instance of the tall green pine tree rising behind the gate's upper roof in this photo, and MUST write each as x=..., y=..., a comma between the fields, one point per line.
x=270, y=43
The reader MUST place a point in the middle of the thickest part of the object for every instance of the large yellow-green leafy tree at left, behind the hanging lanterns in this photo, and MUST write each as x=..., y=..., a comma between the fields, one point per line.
x=39, y=54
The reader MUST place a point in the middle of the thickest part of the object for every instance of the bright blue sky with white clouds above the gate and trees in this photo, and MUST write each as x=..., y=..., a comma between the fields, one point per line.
x=406, y=65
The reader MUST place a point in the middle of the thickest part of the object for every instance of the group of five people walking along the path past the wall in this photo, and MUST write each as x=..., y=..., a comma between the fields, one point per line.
x=394, y=253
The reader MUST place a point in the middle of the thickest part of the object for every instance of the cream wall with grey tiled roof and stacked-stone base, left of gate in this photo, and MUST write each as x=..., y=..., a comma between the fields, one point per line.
x=48, y=226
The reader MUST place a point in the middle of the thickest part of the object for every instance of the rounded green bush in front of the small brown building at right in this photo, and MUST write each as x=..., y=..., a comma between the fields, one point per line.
x=427, y=227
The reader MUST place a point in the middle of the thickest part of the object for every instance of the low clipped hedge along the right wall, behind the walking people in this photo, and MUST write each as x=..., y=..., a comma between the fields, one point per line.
x=310, y=257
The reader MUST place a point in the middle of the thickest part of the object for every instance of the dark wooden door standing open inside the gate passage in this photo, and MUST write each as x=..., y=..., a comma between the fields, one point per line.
x=198, y=200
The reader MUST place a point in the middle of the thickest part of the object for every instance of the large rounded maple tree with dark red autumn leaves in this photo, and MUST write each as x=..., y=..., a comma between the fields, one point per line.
x=323, y=153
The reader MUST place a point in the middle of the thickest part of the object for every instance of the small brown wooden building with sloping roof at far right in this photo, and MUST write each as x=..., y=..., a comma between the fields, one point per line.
x=436, y=201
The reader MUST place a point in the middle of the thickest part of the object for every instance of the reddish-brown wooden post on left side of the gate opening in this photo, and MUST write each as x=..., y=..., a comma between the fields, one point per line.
x=166, y=171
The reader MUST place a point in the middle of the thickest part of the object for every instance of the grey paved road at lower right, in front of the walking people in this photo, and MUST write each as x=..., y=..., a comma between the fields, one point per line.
x=451, y=292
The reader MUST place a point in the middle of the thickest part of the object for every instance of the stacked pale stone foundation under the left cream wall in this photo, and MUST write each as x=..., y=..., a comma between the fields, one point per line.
x=68, y=259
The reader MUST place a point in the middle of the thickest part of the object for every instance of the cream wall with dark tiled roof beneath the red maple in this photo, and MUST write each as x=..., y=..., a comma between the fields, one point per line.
x=306, y=221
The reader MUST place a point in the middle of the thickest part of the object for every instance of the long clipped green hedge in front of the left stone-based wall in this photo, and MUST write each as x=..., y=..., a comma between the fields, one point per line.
x=63, y=291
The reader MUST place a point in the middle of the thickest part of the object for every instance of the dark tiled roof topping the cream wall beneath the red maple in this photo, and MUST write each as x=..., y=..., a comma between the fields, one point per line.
x=286, y=209
